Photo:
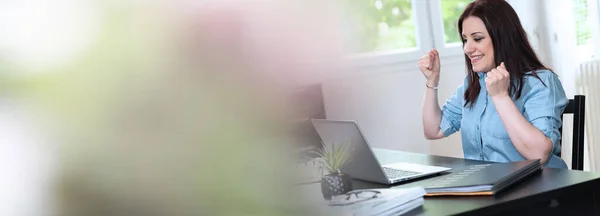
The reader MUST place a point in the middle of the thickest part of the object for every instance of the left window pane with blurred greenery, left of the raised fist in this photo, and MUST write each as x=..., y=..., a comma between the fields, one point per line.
x=388, y=31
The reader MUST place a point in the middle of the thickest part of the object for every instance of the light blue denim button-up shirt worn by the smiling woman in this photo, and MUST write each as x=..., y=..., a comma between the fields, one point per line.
x=483, y=134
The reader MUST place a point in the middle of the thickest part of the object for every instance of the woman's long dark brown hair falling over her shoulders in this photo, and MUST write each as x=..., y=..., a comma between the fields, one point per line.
x=510, y=42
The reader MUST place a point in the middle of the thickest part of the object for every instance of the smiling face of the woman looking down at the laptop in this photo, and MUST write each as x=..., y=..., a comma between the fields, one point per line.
x=478, y=44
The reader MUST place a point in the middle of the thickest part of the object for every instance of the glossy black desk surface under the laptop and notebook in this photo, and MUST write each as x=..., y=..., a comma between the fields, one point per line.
x=551, y=192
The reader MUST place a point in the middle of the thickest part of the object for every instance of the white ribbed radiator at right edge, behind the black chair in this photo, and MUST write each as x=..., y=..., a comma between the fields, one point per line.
x=587, y=83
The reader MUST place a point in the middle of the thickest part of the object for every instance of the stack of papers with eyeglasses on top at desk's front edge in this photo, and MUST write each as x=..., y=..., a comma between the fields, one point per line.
x=384, y=201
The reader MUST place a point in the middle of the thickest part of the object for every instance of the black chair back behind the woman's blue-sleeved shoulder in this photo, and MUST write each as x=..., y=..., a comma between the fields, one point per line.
x=576, y=107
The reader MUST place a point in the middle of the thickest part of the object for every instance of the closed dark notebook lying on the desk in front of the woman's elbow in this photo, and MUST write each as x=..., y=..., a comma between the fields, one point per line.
x=482, y=179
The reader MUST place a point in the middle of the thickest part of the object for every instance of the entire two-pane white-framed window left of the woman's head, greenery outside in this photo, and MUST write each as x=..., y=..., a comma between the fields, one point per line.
x=392, y=31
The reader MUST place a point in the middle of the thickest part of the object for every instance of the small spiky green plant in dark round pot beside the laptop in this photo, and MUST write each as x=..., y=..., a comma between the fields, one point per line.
x=333, y=158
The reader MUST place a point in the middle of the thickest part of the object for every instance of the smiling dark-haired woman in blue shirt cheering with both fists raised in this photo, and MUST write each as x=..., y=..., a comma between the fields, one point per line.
x=510, y=104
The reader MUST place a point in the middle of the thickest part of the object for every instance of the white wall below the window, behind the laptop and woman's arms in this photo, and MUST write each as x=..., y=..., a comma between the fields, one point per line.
x=386, y=101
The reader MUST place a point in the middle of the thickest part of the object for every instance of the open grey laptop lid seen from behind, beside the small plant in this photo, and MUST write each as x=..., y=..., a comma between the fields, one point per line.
x=363, y=163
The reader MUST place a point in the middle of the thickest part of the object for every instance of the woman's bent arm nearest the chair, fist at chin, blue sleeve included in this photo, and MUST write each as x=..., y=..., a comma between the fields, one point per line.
x=536, y=134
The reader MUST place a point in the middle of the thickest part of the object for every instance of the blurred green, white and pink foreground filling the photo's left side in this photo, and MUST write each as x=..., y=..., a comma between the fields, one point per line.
x=156, y=107
